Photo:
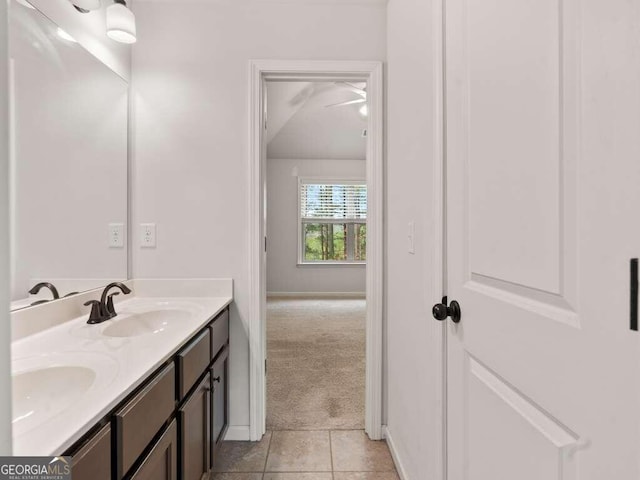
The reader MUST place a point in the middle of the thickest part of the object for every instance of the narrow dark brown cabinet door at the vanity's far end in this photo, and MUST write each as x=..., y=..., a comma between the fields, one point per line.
x=220, y=407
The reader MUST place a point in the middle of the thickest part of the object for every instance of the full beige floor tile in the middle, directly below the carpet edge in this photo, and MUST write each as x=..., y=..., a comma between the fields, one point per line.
x=296, y=451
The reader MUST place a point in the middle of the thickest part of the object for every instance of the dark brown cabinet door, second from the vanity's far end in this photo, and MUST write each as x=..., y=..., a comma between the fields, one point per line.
x=195, y=434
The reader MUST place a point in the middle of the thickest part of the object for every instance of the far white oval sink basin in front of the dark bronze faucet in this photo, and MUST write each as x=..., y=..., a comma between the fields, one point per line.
x=146, y=323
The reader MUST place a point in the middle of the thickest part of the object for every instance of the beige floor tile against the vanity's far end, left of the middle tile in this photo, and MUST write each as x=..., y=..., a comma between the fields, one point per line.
x=243, y=456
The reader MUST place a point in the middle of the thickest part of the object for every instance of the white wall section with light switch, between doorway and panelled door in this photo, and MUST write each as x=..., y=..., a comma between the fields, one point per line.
x=412, y=334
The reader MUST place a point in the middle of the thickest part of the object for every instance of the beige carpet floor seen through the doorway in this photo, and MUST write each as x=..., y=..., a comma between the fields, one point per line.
x=315, y=364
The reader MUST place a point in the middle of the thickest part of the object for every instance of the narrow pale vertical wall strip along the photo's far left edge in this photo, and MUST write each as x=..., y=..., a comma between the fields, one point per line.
x=5, y=326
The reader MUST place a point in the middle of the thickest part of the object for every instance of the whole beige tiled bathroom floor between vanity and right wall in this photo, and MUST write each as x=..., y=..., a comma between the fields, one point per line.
x=307, y=455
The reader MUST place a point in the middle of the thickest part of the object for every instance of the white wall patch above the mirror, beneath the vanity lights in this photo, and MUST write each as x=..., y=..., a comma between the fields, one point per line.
x=89, y=29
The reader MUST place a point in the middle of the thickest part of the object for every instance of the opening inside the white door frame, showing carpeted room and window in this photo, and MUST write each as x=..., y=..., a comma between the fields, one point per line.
x=316, y=254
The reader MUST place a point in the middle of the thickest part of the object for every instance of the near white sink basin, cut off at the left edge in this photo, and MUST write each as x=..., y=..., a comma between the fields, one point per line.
x=43, y=393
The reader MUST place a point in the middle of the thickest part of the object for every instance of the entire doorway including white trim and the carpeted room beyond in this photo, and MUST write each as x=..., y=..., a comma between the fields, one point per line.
x=337, y=214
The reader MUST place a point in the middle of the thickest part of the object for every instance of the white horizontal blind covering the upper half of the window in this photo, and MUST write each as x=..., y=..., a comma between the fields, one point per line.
x=338, y=200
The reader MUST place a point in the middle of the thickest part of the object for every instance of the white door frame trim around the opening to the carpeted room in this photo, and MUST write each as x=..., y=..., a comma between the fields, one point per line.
x=372, y=72
